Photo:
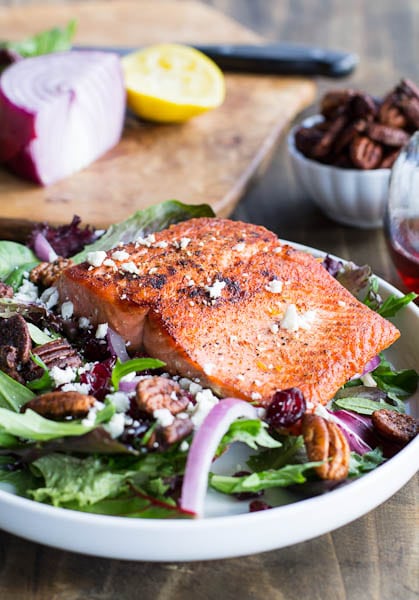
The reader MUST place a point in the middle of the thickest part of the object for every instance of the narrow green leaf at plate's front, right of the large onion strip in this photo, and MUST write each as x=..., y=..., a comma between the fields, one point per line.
x=256, y=482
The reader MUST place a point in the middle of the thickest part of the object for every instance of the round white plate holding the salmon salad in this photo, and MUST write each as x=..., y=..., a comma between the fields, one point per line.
x=223, y=533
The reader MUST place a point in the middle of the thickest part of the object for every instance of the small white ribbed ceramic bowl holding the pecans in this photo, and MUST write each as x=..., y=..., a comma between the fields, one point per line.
x=349, y=196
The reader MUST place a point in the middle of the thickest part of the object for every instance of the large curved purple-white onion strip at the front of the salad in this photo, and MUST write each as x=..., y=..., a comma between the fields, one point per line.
x=204, y=445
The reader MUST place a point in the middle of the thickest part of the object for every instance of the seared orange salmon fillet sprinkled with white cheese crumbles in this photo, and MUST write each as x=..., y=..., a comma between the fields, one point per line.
x=228, y=303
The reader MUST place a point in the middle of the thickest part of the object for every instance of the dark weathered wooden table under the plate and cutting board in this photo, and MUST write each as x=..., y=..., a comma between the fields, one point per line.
x=377, y=556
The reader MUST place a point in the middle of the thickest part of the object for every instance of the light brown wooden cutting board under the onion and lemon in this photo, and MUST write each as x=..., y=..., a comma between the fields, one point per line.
x=211, y=159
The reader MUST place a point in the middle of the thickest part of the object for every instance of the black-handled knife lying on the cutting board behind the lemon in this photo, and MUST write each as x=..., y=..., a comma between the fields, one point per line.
x=269, y=59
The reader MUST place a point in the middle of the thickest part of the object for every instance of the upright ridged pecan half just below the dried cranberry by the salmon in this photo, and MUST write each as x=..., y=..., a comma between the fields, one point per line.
x=324, y=441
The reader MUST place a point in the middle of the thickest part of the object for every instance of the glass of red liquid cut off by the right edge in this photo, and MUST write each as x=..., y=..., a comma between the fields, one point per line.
x=402, y=214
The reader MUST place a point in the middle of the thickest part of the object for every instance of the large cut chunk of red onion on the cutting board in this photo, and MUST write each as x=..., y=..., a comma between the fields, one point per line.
x=59, y=112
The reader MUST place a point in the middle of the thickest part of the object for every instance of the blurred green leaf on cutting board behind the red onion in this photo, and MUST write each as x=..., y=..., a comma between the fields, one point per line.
x=46, y=42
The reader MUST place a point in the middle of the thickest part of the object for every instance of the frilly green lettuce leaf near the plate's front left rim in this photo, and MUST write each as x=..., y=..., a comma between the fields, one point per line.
x=70, y=479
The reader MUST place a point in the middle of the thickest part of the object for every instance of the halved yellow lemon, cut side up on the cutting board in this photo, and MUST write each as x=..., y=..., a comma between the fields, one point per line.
x=171, y=83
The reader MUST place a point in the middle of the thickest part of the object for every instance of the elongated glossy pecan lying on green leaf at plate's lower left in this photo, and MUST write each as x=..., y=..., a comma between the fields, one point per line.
x=59, y=405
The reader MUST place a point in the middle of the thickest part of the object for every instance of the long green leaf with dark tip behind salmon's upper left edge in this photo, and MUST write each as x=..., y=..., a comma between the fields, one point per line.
x=143, y=222
